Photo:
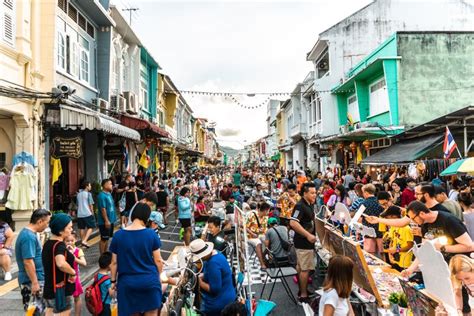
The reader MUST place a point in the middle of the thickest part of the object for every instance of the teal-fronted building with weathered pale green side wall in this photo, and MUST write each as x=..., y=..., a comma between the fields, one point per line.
x=410, y=79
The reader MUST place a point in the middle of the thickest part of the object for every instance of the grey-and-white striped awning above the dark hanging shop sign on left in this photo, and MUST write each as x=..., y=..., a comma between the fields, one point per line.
x=83, y=119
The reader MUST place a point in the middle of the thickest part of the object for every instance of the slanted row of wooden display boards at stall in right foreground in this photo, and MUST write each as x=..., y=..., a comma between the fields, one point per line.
x=376, y=283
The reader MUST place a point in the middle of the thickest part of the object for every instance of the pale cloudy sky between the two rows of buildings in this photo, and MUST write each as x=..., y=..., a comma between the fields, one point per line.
x=235, y=46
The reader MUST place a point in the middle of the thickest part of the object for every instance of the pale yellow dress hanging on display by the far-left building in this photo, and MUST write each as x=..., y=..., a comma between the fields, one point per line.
x=22, y=188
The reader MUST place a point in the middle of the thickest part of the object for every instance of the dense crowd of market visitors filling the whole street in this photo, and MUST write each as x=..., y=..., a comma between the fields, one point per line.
x=280, y=208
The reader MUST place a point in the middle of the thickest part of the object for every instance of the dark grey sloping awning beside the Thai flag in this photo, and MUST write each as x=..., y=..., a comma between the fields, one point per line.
x=404, y=152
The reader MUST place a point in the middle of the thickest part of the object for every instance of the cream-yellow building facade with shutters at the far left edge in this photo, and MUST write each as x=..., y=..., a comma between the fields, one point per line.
x=21, y=67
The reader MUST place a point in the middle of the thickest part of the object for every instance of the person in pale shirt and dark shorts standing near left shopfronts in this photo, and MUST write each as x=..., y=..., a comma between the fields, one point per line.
x=85, y=213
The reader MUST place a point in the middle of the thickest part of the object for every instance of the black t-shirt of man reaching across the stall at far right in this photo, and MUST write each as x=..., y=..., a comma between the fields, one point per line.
x=446, y=224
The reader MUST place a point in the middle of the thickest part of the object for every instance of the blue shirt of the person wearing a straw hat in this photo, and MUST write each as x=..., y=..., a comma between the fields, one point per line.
x=218, y=275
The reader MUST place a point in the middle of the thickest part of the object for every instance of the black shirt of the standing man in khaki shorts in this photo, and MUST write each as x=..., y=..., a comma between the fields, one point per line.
x=304, y=214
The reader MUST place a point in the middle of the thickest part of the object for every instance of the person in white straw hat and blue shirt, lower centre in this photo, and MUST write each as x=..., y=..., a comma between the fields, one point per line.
x=215, y=281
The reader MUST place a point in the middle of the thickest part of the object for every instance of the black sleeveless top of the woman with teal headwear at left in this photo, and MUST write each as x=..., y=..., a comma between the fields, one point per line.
x=47, y=258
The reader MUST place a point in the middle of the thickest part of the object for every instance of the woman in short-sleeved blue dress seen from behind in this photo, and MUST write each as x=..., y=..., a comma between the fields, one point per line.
x=136, y=266
